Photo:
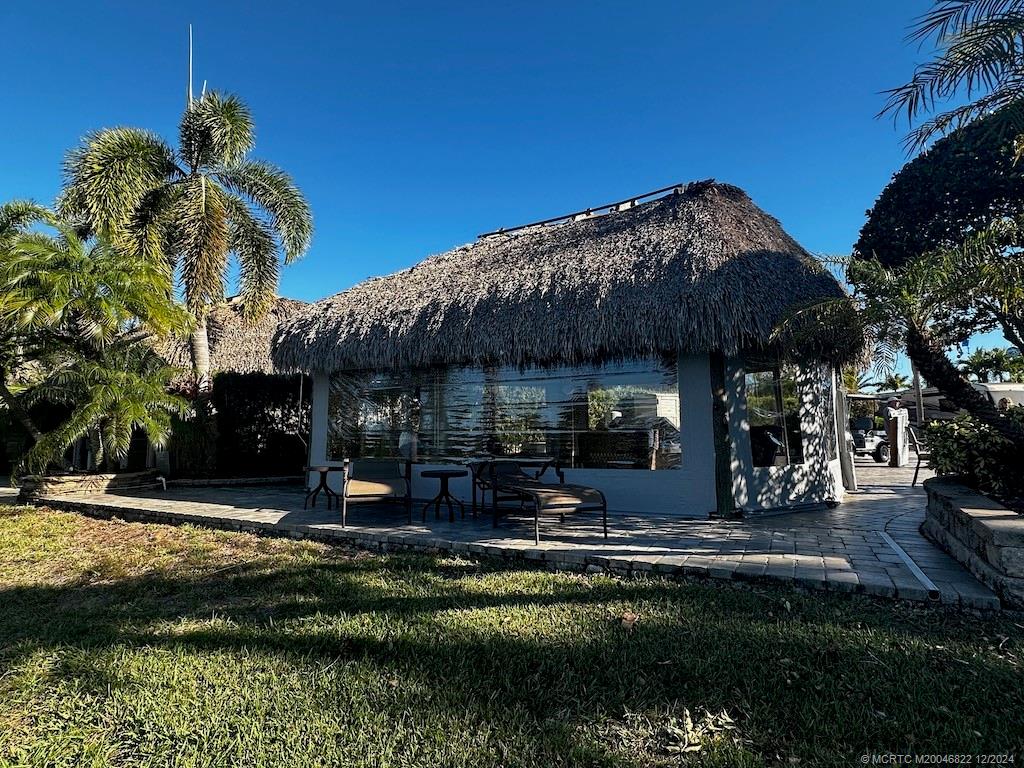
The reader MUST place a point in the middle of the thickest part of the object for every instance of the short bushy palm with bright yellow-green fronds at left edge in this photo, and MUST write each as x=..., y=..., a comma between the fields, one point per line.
x=81, y=315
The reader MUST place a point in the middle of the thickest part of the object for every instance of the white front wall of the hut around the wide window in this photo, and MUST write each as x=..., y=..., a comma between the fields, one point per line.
x=689, y=492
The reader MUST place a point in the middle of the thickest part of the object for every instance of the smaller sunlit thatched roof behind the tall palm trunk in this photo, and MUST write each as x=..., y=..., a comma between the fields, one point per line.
x=236, y=346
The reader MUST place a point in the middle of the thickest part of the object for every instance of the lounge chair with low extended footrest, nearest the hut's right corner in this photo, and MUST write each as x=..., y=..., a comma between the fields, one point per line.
x=508, y=482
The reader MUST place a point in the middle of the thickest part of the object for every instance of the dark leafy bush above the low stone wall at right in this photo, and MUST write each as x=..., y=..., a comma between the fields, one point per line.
x=974, y=451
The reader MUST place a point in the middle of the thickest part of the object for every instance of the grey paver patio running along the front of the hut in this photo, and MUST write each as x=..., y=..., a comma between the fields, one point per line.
x=848, y=549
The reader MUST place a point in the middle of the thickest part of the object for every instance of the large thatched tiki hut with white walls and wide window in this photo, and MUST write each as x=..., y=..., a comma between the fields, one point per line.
x=637, y=336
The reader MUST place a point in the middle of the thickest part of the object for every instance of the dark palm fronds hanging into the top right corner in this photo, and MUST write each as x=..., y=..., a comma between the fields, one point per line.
x=978, y=61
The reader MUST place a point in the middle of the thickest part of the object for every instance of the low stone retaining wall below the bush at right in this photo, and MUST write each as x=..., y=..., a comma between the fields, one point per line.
x=985, y=536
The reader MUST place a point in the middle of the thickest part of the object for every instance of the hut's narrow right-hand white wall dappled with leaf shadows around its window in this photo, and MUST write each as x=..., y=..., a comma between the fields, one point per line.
x=817, y=481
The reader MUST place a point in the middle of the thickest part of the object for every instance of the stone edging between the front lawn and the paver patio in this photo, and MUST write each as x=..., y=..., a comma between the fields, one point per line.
x=706, y=568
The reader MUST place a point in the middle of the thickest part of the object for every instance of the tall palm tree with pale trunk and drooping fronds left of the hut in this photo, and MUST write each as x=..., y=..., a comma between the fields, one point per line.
x=196, y=206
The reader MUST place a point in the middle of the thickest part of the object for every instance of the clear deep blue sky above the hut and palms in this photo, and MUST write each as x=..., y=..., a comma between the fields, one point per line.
x=414, y=126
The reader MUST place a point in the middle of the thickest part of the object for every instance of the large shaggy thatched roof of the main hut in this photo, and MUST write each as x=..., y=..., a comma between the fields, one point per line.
x=700, y=270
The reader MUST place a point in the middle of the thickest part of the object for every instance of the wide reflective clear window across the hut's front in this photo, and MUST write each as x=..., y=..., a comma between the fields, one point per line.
x=619, y=416
